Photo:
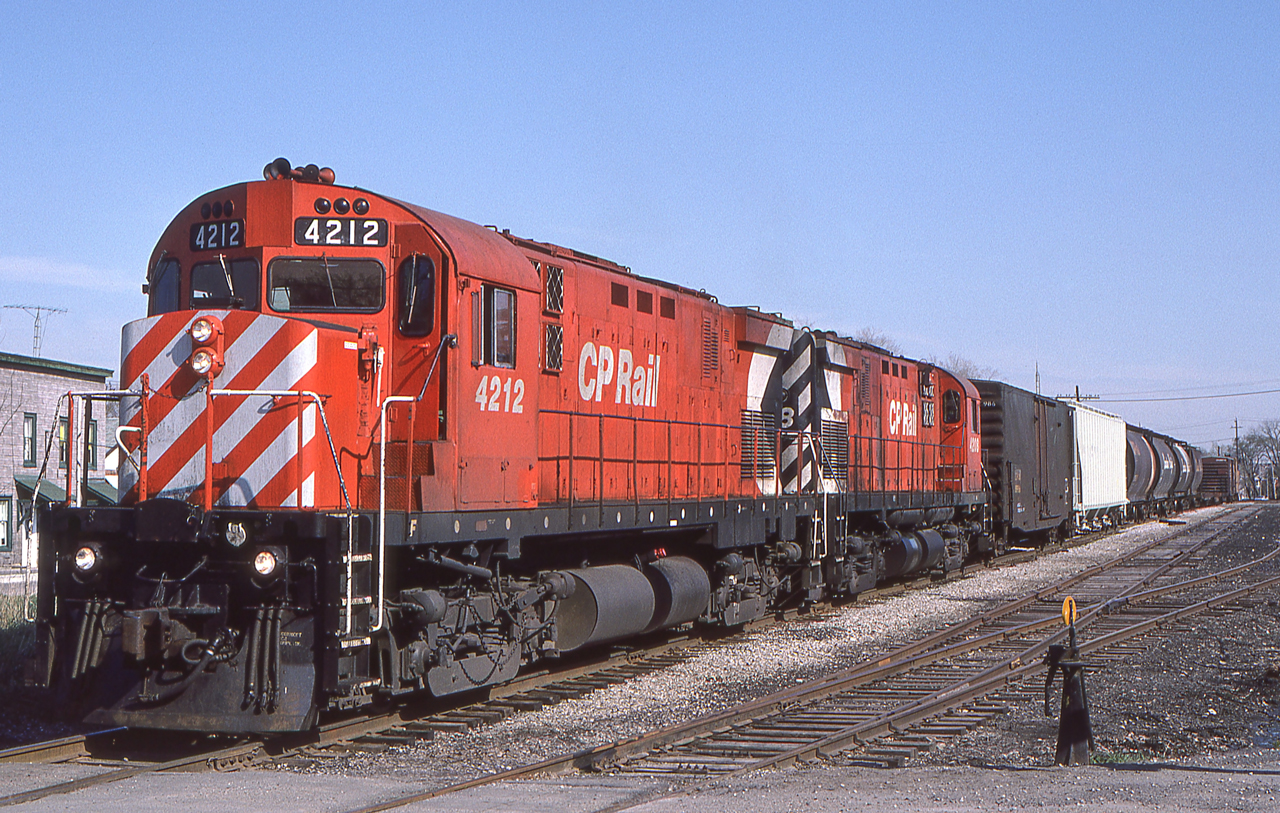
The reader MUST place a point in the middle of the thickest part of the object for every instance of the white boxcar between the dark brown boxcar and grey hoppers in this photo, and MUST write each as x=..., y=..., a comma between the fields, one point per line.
x=1100, y=482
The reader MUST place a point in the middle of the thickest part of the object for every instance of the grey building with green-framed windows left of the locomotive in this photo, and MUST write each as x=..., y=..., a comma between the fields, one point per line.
x=34, y=440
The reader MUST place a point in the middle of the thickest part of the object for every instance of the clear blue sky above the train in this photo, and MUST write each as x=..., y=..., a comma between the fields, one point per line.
x=1092, y=189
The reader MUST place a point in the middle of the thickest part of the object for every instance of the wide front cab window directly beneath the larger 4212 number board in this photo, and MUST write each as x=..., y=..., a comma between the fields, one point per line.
x=326, y=285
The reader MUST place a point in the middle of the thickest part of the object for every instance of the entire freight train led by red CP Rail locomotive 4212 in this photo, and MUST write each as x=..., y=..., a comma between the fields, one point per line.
x=374, y=450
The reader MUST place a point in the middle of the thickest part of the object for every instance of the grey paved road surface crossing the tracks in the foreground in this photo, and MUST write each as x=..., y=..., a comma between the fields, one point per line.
x=1246, y=782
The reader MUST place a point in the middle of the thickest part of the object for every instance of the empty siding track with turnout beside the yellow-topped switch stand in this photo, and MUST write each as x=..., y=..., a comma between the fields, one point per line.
x=941, y=686
